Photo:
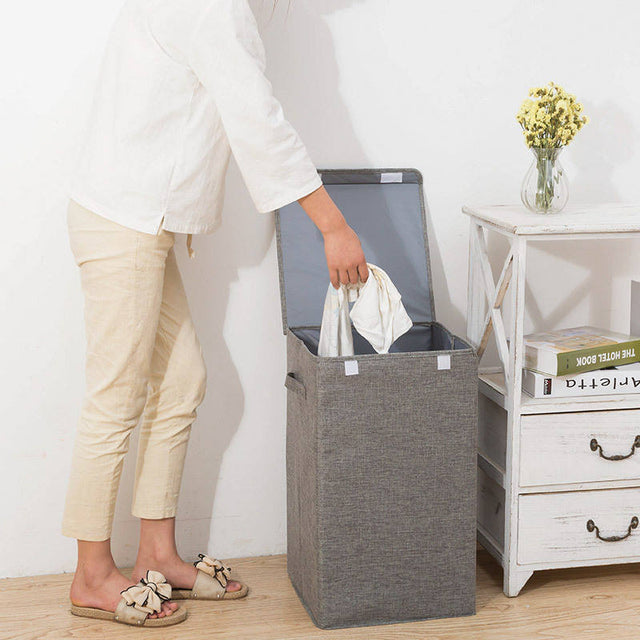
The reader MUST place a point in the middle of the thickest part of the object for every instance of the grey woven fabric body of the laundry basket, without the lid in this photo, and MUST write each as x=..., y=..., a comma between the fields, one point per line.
x=381, y=486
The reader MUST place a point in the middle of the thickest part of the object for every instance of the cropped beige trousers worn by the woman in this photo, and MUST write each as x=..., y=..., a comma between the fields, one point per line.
x=143, y=361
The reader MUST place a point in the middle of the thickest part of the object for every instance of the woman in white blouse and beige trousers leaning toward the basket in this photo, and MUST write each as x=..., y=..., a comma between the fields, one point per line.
x=181, y=86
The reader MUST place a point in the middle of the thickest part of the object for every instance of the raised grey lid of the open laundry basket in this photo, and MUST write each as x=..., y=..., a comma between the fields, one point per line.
x=385, y=207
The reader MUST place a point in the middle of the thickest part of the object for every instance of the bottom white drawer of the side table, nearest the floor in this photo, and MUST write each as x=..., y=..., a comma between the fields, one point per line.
x=579, y=525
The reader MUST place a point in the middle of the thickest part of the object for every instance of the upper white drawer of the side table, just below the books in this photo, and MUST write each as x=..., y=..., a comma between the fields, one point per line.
x=590, y=446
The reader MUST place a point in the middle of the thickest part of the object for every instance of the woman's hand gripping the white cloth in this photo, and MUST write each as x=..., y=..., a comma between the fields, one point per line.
x=345, y=258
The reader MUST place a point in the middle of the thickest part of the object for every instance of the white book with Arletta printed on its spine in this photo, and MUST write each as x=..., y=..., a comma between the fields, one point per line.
x=621, y=379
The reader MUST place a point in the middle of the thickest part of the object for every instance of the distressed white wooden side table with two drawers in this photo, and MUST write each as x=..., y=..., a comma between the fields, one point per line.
x=558, y=478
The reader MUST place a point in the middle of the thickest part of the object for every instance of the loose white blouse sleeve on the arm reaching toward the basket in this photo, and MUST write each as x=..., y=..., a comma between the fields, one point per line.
x=227, y=55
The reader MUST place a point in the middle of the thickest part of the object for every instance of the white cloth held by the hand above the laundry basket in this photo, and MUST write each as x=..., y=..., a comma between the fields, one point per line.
x=378, y=315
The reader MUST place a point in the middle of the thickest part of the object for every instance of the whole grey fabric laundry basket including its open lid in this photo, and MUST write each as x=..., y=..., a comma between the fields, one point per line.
x=381, y=464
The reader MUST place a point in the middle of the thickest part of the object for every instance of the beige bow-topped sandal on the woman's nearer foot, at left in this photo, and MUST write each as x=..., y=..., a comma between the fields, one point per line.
x=137, y=602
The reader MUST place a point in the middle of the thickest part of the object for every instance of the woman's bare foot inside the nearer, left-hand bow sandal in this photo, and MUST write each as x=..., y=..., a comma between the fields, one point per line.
x=100, y=587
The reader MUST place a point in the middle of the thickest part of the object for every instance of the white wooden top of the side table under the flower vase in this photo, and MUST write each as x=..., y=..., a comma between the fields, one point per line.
x=574, y=219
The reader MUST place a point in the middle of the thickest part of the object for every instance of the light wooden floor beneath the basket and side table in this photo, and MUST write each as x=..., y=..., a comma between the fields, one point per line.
x=602, y=603
